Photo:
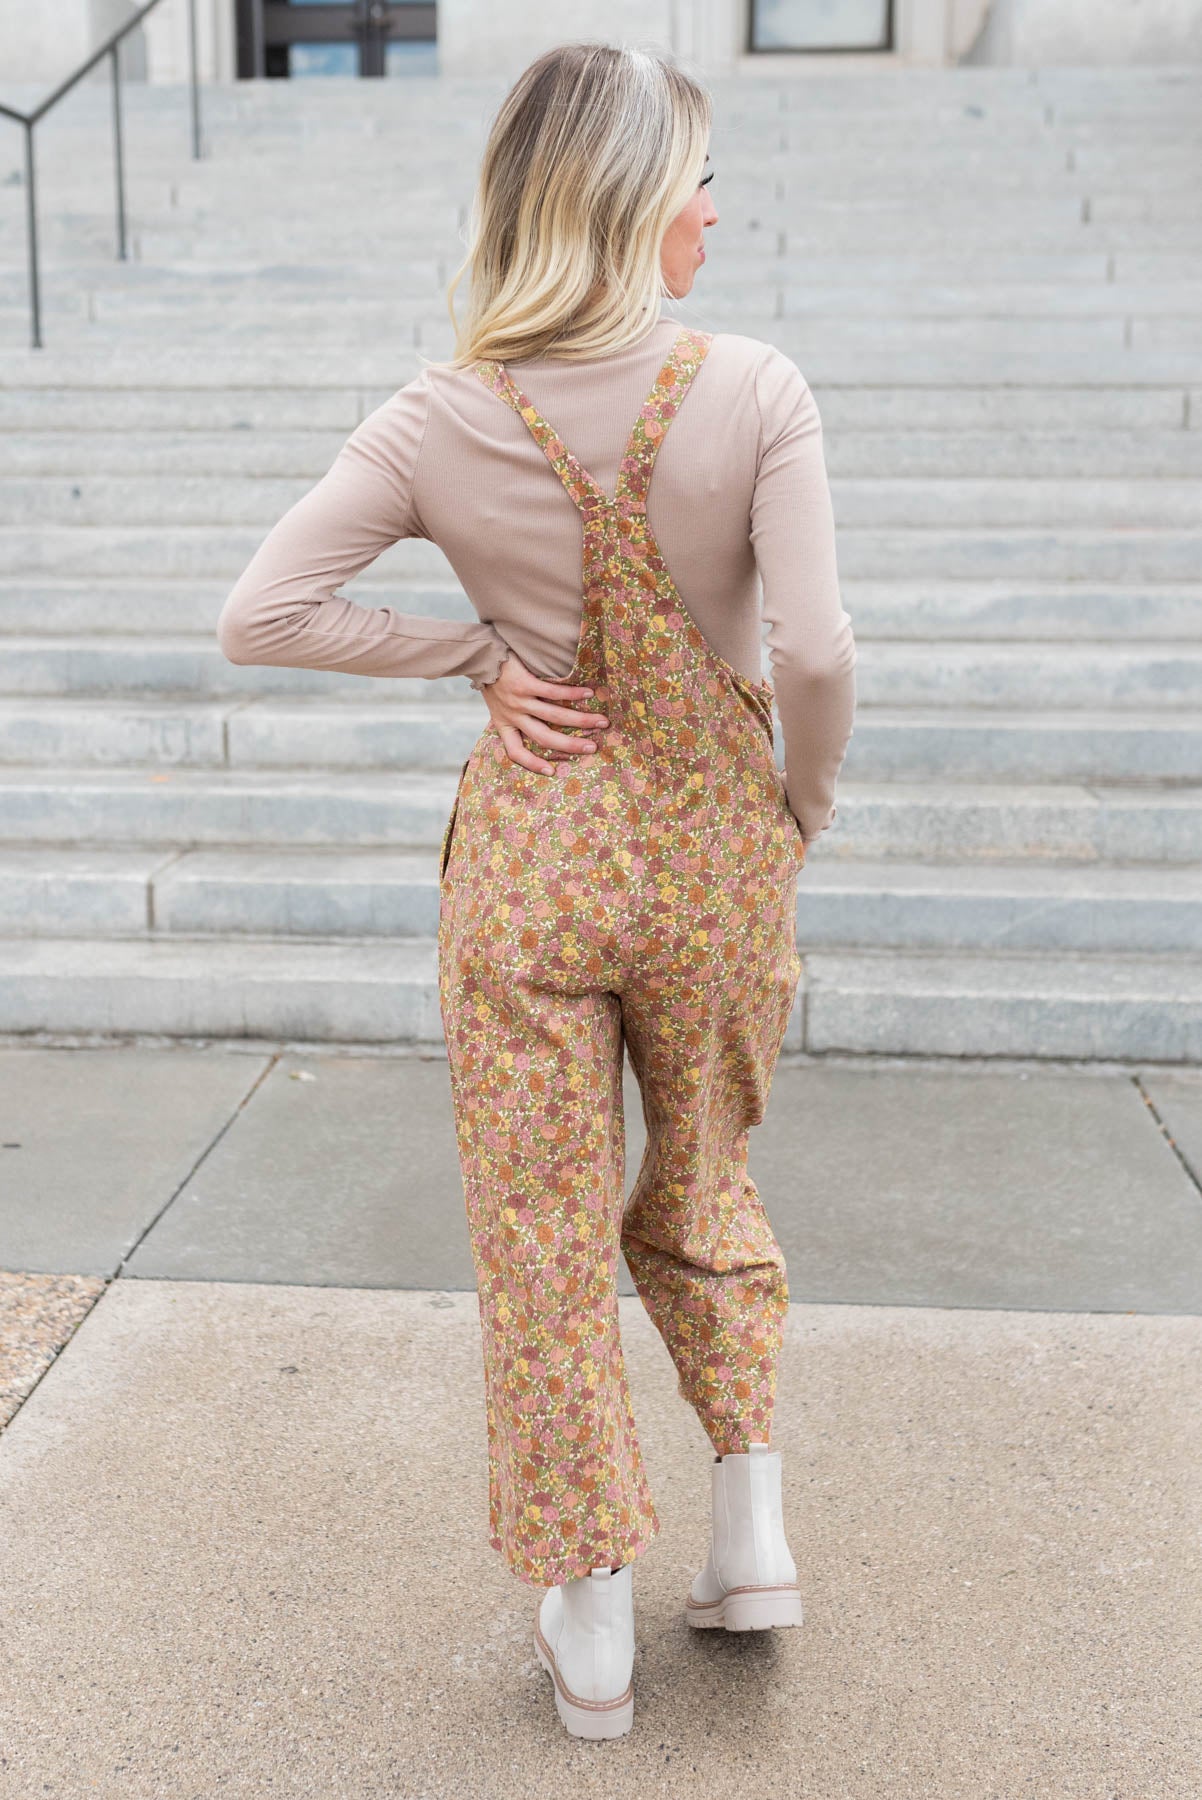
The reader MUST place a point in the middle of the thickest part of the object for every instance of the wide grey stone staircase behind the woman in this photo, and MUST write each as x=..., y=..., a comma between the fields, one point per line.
x=991, y=278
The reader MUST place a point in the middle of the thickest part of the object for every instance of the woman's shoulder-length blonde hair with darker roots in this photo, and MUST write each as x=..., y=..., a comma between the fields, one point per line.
x=593, y=154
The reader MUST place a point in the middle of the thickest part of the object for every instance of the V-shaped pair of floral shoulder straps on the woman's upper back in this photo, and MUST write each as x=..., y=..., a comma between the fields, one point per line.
x=643, y=444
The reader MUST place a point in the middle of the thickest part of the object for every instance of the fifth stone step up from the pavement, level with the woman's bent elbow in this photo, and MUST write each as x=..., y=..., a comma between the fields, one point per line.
x=888, y=674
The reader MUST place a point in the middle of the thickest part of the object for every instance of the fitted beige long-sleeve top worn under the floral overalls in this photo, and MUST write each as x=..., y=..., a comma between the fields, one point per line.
x=739, y=503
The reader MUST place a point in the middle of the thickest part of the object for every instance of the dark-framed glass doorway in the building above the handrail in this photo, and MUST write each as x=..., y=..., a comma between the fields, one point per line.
x=291, y=39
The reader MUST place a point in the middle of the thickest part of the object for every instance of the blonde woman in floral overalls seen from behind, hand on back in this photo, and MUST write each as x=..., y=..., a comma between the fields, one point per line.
x=620, y=865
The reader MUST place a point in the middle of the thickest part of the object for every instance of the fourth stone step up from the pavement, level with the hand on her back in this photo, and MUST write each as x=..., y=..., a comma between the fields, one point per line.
x=890, y=744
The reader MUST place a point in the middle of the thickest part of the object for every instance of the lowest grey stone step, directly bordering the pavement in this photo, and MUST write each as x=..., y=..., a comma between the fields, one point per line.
x=384, y=991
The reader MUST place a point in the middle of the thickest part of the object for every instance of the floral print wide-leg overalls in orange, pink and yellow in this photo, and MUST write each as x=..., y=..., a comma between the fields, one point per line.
x=643, y=894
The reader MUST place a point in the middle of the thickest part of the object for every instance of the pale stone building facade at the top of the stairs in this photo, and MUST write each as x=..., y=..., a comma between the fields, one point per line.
x=499, y=37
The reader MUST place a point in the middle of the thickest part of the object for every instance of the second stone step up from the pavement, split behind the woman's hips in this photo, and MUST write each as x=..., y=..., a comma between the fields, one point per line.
x=393, y=894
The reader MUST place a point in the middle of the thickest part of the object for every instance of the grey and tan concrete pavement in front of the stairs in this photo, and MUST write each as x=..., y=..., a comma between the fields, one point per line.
x=244, y=1509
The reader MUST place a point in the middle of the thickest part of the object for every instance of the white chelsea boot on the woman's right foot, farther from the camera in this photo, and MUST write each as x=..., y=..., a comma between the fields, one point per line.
x=749, y=1581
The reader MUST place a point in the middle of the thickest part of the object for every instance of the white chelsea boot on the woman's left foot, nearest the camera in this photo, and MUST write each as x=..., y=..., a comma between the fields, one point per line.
x=586, y=1641
